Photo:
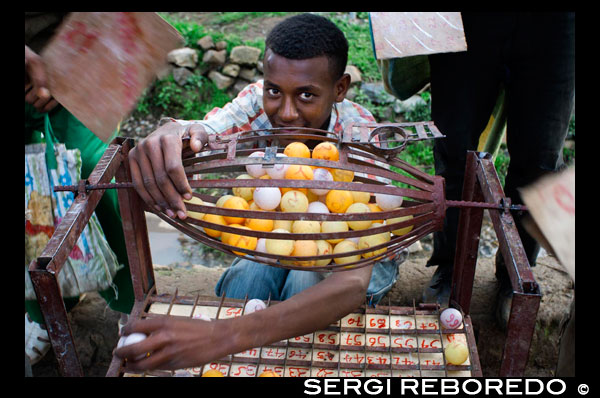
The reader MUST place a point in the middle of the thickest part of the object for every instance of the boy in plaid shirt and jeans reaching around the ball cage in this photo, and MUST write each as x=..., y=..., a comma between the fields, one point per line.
x=304, y=86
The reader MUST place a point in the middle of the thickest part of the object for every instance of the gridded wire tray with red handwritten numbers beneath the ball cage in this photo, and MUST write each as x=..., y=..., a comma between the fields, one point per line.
x=382, y=341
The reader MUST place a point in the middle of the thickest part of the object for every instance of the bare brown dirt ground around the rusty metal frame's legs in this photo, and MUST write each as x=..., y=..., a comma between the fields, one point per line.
x=94, y=325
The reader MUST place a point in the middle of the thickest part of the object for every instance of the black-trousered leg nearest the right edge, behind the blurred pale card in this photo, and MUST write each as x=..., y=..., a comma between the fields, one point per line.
x=540, y=99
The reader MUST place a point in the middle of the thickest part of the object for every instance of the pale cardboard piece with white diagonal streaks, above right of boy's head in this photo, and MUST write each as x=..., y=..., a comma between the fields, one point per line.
x=404, y=34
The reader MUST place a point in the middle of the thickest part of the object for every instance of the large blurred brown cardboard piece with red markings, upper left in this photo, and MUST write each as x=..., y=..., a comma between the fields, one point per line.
x=99, y=63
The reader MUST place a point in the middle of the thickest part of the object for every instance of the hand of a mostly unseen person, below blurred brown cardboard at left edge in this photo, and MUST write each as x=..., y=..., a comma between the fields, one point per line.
x=36, y=85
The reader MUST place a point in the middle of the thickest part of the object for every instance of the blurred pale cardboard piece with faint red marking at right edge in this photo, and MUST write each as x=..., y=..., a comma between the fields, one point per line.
x=551, y=203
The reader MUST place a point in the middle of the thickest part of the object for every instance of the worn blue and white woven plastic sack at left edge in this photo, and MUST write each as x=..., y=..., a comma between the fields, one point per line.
x=92, y=264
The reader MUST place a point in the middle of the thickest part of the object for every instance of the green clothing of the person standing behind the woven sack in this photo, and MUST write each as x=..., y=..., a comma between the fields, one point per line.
x=70, y=131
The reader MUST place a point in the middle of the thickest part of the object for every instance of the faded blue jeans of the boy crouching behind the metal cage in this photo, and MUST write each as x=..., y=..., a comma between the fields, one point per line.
x=257, y=280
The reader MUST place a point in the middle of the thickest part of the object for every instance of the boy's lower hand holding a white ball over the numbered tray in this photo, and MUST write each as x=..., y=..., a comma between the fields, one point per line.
x=175, y=343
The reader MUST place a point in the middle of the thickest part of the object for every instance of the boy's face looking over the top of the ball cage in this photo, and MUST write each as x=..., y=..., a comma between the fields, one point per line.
x=300, y=93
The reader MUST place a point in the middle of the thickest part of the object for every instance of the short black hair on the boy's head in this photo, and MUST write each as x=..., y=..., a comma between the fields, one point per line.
x=307, y=36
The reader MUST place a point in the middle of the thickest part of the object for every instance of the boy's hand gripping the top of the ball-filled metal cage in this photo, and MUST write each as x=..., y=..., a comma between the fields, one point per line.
x=157, y=169
